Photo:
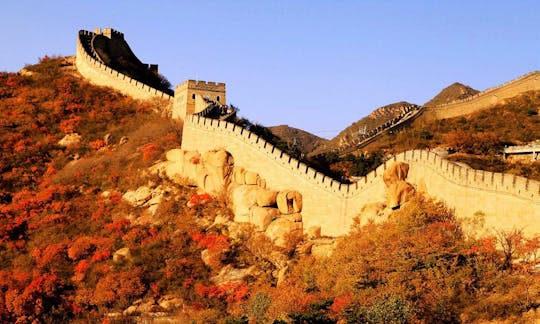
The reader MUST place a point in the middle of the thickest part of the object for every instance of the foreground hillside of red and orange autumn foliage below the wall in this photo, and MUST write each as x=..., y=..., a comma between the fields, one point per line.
x=92, y=231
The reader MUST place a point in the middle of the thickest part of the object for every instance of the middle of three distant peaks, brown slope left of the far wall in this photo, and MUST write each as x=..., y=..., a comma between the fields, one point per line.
x=377, y=117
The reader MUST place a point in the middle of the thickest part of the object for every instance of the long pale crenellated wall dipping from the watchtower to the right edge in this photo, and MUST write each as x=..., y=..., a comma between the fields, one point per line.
x=507, y=201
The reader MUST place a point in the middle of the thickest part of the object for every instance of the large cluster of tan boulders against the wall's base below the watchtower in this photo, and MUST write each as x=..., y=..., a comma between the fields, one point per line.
x=275, y=213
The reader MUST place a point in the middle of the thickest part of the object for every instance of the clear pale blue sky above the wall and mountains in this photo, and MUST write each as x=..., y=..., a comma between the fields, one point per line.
x=315, y=65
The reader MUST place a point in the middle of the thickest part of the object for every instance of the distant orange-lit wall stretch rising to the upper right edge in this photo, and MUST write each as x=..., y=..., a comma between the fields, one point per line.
x=484, y=99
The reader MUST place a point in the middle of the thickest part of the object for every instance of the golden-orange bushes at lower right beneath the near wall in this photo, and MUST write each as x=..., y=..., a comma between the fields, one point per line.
x=417, y=267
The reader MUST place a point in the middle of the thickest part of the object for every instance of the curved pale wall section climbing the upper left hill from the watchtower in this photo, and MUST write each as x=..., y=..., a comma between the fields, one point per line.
x=99, y=74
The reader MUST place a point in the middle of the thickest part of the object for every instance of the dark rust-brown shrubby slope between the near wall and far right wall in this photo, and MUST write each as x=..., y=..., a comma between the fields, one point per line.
x=478, y=138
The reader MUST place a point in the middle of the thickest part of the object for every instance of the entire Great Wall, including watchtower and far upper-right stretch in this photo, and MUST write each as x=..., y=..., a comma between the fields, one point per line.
x=505, y=201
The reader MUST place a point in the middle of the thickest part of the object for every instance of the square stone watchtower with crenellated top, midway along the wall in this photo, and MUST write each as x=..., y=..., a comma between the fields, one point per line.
x=189, y=97
